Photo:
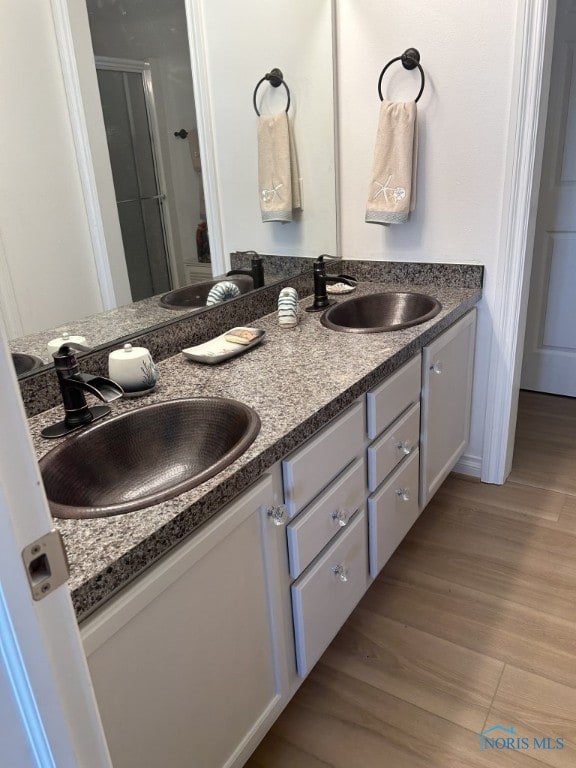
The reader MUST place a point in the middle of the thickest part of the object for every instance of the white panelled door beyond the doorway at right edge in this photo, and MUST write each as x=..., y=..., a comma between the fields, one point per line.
x=549, y=363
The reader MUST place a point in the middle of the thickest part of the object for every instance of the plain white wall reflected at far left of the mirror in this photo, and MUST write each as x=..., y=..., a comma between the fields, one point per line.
x=43, y=226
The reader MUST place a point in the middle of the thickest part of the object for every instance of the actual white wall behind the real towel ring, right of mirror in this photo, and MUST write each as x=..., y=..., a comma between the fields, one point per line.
x=467, y=53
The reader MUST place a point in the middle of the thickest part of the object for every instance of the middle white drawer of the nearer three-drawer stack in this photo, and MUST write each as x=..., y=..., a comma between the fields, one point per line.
x=309, y=533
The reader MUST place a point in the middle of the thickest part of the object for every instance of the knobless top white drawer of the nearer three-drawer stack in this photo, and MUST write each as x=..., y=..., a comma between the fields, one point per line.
x=309, y=469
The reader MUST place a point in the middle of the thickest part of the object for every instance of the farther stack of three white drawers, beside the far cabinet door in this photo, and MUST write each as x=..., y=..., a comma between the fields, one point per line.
x=393, y=461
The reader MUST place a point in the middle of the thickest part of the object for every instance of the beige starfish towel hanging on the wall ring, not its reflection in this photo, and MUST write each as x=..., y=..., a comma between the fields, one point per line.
x=392, y=192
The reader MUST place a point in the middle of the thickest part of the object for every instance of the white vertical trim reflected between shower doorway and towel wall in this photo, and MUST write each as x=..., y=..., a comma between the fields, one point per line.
x=206, y=133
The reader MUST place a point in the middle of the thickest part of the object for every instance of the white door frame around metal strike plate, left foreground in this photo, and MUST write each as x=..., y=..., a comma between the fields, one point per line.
x=48, y=715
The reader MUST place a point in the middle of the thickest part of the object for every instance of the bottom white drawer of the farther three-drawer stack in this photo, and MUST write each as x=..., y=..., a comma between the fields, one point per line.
x=391, y=513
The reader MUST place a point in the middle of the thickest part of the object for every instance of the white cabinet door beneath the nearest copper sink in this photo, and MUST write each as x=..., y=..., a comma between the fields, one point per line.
x=182, y=662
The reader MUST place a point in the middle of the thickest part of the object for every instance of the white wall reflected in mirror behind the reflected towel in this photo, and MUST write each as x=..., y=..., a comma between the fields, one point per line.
x=247, y=40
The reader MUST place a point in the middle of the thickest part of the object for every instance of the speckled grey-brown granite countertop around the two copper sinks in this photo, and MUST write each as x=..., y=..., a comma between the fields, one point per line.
x=297, y=380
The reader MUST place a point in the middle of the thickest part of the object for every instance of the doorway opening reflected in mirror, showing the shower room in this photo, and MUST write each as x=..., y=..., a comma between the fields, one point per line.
x=149, y=40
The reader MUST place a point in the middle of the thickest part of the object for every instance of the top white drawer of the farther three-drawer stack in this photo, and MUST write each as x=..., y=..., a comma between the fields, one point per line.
x=391, y=398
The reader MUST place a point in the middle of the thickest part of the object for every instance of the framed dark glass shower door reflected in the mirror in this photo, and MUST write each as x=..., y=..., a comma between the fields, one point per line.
x=127, y=103
